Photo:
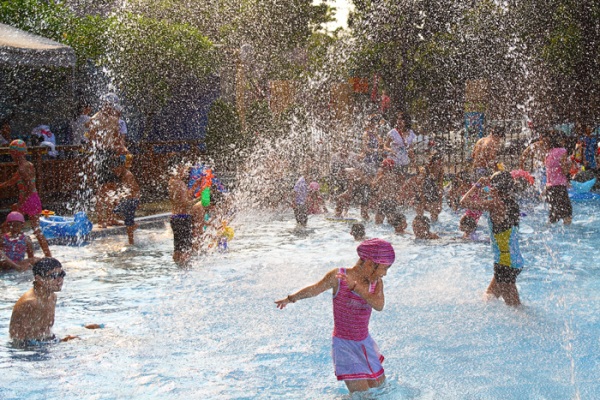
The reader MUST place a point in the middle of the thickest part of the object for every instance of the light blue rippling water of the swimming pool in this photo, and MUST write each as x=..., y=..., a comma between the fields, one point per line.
x=212, y=331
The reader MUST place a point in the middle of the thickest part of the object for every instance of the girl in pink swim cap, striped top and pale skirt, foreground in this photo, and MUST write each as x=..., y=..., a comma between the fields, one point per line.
x=356, y=291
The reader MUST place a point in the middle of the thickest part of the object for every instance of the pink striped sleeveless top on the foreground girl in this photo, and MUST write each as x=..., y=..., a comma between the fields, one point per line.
x=351, y=313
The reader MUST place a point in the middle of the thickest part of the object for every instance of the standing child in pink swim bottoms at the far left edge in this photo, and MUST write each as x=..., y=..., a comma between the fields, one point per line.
x=29, y=201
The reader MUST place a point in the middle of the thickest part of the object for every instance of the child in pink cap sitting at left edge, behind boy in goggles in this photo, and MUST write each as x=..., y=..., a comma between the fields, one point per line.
x=16, y=245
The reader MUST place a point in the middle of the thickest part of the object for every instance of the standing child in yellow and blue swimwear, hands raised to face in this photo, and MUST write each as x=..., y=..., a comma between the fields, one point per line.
x=494, y=196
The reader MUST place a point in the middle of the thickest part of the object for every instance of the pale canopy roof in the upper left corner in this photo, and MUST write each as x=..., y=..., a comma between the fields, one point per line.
x=20, y=48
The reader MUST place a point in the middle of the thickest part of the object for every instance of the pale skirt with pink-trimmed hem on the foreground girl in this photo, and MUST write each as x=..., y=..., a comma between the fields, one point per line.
x=355, y=360
